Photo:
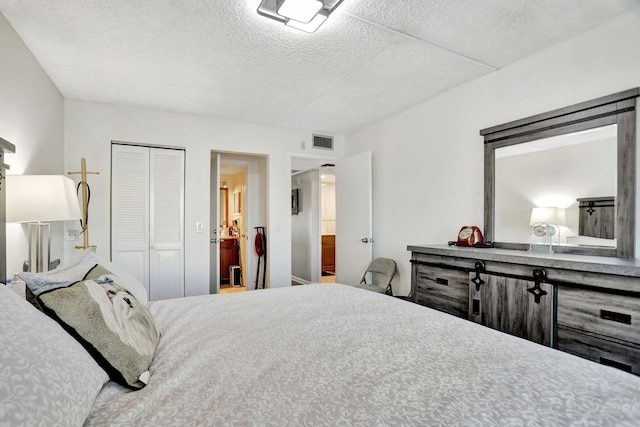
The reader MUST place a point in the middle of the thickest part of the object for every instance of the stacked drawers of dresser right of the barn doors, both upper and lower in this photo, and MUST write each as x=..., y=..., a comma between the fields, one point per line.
x=599, y=326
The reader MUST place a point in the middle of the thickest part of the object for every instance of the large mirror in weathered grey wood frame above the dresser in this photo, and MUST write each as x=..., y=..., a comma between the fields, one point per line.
x=549, y=160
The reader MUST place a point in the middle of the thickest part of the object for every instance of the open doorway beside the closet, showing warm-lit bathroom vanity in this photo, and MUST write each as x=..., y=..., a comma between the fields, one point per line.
x=238, y=204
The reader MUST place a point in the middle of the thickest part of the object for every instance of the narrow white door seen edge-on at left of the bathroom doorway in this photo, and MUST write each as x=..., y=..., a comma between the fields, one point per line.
x=214, y=220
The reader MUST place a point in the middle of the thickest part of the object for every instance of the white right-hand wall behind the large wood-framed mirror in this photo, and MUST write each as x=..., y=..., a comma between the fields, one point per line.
x=428, y=170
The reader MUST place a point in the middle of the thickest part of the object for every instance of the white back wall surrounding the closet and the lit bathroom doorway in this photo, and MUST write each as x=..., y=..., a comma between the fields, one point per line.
x=90, y=128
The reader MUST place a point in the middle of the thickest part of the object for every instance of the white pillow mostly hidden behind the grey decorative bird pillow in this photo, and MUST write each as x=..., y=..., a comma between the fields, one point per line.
x=76, y=271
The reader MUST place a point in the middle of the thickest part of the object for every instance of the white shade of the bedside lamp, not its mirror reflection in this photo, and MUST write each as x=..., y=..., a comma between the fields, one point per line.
x=32, y=198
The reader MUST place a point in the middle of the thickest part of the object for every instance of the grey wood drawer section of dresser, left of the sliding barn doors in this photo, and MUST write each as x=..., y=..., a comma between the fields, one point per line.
x=443, y=289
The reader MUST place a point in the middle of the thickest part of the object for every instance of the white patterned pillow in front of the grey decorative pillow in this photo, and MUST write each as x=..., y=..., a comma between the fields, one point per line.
x=46, y=377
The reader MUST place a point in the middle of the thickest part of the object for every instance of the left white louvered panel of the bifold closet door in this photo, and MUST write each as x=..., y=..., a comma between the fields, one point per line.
x=130, y=210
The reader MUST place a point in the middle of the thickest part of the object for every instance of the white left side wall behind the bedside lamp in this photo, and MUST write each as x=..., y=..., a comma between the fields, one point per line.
x=31, y=118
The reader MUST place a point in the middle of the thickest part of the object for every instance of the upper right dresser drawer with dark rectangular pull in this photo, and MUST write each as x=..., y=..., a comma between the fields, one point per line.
x=599, y=313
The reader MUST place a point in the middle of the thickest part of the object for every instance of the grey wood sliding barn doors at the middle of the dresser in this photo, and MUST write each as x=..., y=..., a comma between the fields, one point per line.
x=513, y=306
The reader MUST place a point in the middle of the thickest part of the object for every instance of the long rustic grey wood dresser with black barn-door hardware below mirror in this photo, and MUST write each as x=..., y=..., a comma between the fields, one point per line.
x=585, y=305
